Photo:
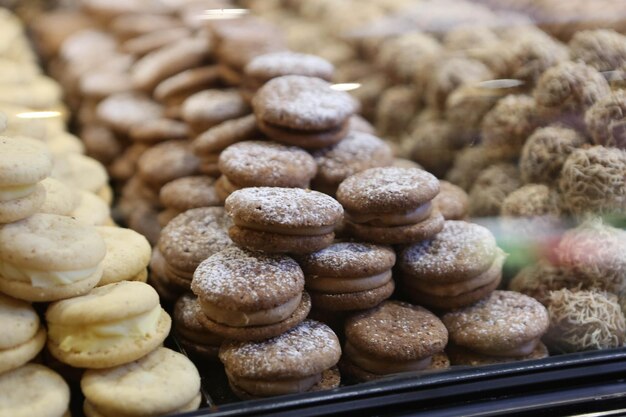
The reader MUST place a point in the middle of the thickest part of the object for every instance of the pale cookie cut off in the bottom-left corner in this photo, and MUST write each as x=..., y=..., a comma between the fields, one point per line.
x=17, y=388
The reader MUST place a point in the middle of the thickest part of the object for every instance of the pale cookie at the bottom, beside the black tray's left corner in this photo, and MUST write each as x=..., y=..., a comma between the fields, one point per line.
x=161, y=383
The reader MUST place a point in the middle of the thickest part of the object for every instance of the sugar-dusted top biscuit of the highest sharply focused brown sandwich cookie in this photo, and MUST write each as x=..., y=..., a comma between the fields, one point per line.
x=303, y=103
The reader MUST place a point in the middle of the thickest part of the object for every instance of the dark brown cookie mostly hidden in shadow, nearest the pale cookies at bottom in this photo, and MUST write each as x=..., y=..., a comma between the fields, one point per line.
x=193, y=336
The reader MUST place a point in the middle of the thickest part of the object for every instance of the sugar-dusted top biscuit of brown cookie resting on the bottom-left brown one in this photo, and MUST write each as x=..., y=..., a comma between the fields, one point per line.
x=238, y=279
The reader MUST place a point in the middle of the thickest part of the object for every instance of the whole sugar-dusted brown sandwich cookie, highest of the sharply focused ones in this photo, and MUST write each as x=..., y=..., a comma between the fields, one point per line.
x=303, y=111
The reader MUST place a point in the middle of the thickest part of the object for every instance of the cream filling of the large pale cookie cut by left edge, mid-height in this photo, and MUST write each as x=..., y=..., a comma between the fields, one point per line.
x=45, y=279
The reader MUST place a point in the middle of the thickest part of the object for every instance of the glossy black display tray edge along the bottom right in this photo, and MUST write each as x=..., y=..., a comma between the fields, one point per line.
x=558, y=385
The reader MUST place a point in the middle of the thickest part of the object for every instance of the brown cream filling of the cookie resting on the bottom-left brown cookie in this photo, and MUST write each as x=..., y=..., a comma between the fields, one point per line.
x=250, y=318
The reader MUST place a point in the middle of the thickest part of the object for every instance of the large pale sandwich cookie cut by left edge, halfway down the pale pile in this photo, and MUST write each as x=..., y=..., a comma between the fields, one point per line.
x=47, y=257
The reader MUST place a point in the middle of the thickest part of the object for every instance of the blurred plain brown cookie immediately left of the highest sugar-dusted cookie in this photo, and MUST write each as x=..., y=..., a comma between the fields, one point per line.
x=208, y=108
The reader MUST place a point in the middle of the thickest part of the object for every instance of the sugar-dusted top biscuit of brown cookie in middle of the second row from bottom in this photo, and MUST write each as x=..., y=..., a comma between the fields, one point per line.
x=349, y=259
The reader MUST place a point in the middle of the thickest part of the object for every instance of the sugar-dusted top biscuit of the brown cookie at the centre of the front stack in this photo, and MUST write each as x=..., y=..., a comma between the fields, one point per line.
x=287, y=207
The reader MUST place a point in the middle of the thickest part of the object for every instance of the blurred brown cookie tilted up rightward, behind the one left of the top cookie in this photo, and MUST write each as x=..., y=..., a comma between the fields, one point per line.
x=174, y=90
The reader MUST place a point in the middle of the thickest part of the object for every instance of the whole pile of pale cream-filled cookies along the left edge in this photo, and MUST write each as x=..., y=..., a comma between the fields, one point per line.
x=72, y=291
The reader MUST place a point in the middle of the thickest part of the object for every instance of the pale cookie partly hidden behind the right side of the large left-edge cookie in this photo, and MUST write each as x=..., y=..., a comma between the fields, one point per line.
x=127, y=255
